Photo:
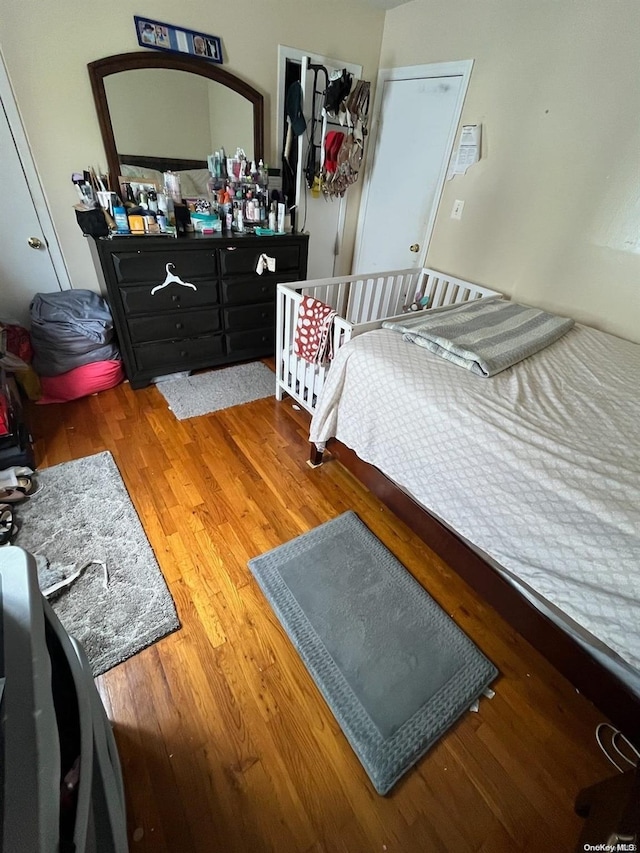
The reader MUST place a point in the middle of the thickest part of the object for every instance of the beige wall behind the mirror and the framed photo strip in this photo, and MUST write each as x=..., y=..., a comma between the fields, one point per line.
x=47, y=45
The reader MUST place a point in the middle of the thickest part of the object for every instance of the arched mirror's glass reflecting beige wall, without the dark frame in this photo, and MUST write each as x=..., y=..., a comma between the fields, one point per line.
x=160, y=112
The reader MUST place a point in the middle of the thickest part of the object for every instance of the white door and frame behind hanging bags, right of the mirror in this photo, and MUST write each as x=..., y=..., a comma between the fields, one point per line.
x=321, y=218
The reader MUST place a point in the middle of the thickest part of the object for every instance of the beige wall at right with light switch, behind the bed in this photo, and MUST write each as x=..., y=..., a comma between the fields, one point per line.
x=551, y=213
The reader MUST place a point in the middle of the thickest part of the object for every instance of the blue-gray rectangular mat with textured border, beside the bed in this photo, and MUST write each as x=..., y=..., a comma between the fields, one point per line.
x=395, y=670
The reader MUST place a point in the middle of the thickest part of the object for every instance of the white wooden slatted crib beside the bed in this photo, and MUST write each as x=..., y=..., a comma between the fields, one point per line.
x=362, y=302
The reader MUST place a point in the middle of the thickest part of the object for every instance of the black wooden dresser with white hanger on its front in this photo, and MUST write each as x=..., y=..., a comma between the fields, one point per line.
x=193, y=302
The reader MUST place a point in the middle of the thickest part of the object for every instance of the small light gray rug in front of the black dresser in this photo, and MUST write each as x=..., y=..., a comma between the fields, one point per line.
x=191, y=396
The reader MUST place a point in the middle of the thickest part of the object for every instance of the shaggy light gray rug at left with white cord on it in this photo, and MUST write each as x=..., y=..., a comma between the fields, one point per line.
x=82, y=512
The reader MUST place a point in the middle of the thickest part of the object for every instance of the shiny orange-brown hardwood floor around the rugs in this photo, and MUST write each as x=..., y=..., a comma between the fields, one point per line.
x=226, y=743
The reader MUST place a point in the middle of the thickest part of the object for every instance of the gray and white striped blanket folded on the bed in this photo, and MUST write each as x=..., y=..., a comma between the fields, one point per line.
x=485, y=336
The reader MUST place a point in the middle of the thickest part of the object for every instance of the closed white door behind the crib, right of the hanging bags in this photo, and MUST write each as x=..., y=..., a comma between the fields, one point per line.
x=415, y=119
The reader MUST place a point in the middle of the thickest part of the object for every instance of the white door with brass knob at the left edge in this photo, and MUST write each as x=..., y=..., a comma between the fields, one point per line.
x=24, y=269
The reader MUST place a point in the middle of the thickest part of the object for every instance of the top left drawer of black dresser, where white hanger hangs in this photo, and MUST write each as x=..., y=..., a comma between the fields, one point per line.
x=155, y=266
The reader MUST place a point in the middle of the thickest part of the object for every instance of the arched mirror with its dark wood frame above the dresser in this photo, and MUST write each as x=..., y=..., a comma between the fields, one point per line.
x=169, y=112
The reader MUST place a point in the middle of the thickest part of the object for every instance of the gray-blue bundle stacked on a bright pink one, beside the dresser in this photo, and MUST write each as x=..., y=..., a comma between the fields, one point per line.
x=75, y=352
